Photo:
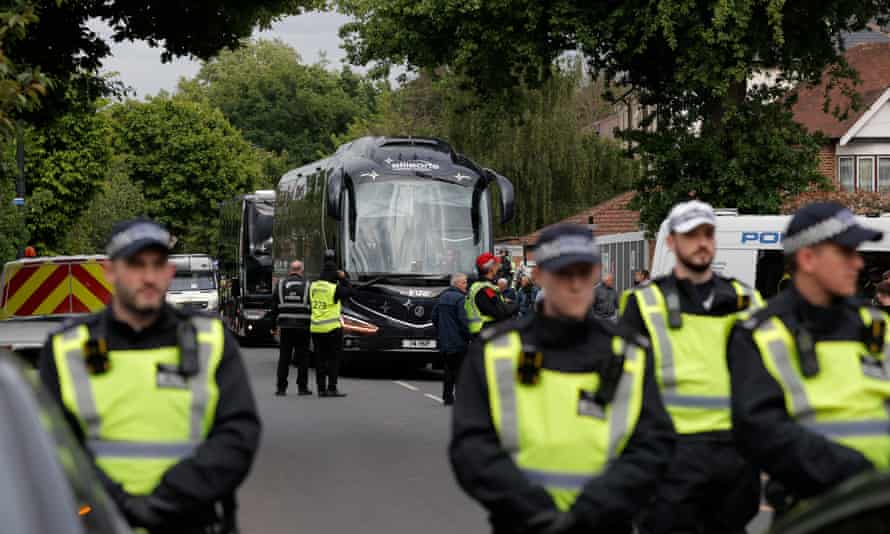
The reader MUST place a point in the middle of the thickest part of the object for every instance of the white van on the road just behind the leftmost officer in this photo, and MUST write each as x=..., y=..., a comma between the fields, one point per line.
x=195, y=284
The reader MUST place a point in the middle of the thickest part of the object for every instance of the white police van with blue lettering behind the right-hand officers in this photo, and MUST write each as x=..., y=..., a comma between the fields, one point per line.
x=749, y=248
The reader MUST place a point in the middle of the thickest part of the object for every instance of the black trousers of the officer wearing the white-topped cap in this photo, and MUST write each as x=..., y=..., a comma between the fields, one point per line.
x=709, y=488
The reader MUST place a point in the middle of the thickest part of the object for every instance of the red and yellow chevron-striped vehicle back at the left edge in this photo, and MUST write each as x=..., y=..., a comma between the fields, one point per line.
x=53, y=288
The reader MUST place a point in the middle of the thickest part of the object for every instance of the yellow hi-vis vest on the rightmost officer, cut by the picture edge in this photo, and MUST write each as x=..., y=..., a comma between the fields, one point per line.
x=847, y=400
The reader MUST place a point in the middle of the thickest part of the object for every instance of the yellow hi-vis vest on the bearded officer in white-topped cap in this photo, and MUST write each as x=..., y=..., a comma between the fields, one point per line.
x=690, y=361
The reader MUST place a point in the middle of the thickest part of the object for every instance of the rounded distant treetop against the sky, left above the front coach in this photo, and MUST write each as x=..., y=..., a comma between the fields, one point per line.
x=279, y=103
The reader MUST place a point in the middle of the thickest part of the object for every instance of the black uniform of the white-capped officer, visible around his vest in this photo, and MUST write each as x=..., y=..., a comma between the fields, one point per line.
x=710, y=487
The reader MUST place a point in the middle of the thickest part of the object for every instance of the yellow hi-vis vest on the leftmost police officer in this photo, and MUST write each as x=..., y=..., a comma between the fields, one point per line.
x=136, y=427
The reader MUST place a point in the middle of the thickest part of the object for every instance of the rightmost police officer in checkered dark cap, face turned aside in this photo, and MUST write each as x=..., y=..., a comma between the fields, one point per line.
x=811, y=371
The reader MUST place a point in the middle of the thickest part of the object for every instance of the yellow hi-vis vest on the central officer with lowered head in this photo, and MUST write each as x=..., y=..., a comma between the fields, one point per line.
x=540, y=425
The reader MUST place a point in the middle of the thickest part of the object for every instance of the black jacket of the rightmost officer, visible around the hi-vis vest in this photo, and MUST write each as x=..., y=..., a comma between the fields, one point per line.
x=805, y=463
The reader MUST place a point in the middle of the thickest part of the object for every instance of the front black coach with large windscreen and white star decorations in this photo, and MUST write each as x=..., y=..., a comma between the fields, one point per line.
x=402, y=214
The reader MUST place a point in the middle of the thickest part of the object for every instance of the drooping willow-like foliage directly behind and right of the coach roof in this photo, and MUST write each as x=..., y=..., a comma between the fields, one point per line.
x=543, y=141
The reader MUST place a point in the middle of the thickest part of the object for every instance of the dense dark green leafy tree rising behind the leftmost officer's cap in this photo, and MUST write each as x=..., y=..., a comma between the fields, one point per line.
x=187, y=158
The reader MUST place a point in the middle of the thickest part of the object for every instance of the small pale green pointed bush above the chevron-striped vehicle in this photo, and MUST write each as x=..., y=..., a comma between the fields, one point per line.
x=119, y=199
